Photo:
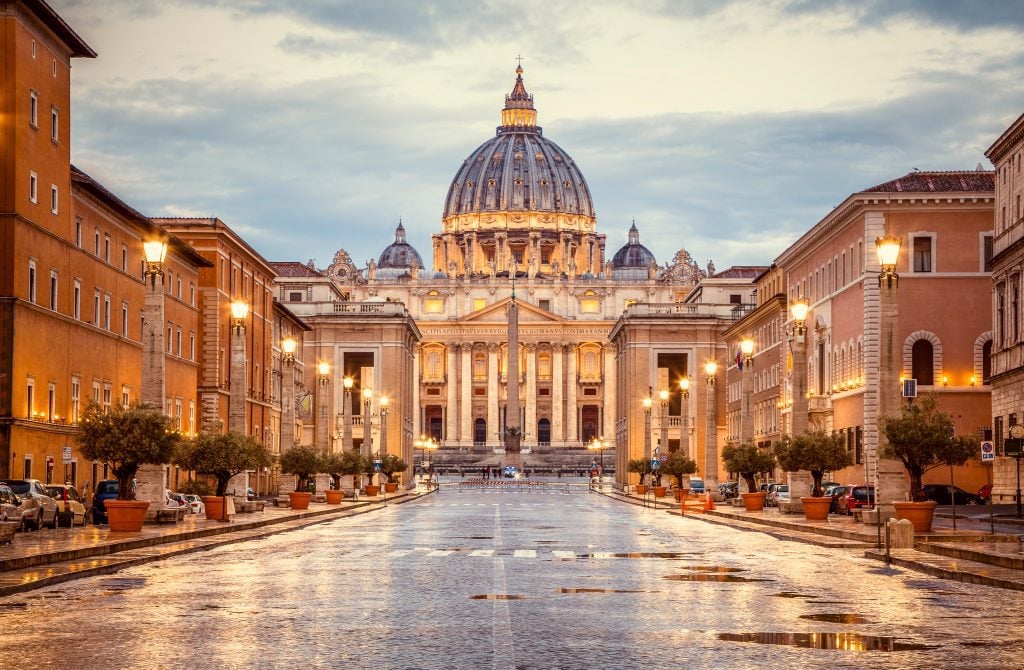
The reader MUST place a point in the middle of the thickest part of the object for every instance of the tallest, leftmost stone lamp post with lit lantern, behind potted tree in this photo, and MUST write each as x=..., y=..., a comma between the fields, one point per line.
x=152, y=479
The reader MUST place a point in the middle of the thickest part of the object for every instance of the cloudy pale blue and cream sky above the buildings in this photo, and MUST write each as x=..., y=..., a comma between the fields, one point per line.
x=729, y=129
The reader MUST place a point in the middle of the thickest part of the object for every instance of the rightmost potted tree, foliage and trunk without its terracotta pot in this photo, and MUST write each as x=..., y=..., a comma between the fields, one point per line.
x=922, y=438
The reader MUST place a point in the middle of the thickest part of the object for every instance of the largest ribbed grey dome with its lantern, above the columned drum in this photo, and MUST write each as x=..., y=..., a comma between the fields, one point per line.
x=520, y=170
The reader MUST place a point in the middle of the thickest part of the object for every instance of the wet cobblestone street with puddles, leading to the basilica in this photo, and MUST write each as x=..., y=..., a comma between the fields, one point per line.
x=474, y=580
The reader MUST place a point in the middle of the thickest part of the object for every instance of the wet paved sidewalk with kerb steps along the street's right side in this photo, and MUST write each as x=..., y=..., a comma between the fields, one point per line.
x=970, y=554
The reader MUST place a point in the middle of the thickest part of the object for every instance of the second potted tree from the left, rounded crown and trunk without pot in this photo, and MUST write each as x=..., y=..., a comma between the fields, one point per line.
x=223, y=455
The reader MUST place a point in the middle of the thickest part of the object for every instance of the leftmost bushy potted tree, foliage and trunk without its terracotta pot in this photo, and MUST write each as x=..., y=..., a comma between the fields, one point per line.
x=125, y=439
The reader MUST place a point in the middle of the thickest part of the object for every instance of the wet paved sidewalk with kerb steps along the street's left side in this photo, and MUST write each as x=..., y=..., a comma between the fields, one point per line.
x=45, y=558
